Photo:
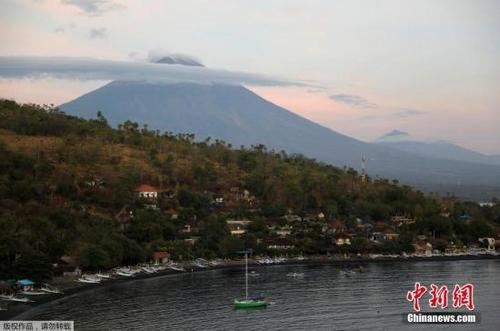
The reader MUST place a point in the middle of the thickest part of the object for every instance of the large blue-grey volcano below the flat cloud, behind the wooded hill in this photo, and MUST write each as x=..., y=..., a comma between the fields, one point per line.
x=240, y=117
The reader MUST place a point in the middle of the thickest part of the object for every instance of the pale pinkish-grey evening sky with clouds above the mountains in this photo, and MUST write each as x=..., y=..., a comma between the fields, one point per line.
x=362, y=68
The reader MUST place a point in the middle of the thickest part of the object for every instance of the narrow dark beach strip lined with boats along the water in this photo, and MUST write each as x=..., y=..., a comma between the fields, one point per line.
x=18, y=309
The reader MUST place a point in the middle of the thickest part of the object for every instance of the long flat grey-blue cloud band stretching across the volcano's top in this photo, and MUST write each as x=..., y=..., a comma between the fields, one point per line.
x=78, y=68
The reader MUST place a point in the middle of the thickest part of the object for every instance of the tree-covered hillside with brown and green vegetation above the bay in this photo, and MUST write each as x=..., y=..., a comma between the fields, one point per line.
x=65, y=184
